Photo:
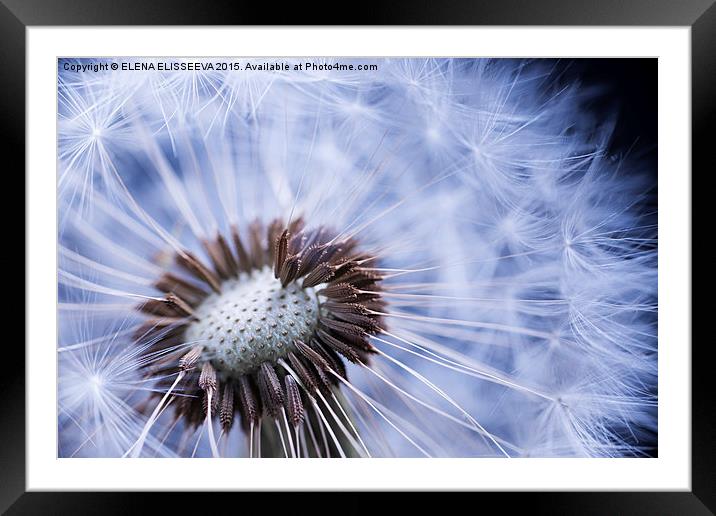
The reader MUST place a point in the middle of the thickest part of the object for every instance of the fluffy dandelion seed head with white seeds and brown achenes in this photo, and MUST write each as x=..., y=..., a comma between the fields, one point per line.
x=442, y=257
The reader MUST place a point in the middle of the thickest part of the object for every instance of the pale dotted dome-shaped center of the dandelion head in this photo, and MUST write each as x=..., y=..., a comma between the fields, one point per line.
x=253, y=320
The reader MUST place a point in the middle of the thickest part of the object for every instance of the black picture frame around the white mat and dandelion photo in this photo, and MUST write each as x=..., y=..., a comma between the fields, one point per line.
x=17, y=15
